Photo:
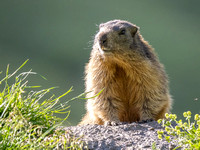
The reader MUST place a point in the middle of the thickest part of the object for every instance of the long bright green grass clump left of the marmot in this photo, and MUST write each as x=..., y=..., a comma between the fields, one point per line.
x=27, y=119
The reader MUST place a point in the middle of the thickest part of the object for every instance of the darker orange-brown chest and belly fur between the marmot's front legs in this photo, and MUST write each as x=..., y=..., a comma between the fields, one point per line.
x=128, y=93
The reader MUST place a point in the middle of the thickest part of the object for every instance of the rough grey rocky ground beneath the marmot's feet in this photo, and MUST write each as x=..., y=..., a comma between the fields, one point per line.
x=139, y=136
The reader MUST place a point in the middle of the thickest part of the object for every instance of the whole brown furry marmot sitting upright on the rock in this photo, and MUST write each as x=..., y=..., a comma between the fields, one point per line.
x=126, y=69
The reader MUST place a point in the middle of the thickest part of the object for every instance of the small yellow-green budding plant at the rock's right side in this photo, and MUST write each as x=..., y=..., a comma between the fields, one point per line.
x=186, y=134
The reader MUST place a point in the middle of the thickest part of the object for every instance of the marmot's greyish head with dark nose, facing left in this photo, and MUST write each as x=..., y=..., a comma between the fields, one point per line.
x=115, y=36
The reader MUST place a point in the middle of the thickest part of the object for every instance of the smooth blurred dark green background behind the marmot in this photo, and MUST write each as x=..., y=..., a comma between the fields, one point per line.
x=56, y=36
